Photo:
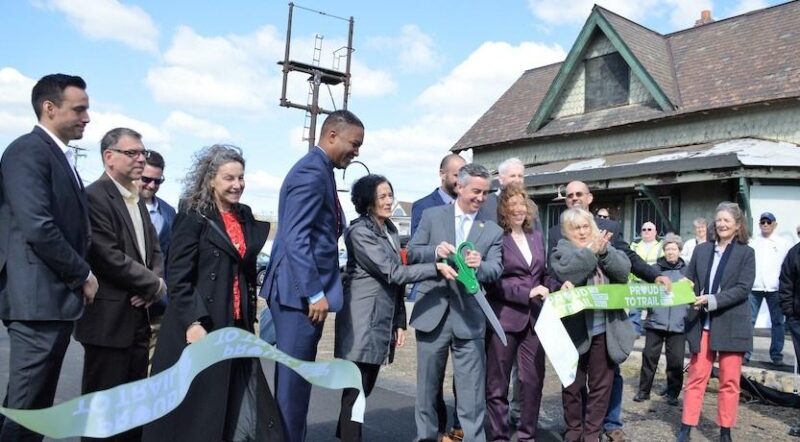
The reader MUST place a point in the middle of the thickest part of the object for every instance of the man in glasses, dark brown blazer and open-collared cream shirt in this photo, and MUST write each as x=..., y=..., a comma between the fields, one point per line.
x=126, y=257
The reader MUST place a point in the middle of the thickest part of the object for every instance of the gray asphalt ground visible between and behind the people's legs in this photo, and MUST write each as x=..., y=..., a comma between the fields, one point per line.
x=390, y=408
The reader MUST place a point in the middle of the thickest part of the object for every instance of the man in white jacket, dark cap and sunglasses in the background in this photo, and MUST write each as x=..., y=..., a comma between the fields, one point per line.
x=770, y=250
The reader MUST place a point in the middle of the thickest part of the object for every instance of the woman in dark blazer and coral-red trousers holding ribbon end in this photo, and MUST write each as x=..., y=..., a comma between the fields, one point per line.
x=718, y=326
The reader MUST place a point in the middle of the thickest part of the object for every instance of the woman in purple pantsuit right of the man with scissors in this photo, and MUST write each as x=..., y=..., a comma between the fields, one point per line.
x=517, y=300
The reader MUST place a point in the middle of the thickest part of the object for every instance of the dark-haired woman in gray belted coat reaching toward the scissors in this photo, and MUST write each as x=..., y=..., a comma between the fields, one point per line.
x=372, y=321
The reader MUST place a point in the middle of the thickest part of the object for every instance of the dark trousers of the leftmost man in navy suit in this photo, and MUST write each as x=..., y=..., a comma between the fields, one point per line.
x=36, y=352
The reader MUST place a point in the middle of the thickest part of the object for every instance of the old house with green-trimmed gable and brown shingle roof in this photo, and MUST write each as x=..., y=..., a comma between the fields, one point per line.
x=661, y=127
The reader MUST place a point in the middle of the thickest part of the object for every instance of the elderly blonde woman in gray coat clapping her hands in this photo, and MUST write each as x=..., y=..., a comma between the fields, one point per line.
x=604, y=338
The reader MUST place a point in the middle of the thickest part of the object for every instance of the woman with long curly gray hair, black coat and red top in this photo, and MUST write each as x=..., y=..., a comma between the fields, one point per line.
x=211, y=280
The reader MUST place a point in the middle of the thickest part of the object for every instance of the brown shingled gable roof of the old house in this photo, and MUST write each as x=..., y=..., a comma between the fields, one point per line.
x=746, y=59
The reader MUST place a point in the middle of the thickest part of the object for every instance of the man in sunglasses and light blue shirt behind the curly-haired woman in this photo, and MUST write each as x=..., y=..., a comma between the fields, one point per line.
x=161, y=215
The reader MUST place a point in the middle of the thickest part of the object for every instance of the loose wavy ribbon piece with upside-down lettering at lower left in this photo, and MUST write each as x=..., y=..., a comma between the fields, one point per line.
x=109, y=412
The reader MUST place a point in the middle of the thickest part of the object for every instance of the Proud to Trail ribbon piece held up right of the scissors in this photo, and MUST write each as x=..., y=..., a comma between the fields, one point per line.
x=557, y=344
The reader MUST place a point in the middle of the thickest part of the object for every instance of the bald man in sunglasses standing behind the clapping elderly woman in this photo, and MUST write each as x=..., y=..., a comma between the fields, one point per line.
x=578, y=195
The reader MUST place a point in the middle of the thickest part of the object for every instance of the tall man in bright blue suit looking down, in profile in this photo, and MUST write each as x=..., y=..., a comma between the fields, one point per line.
x=302, y=283
